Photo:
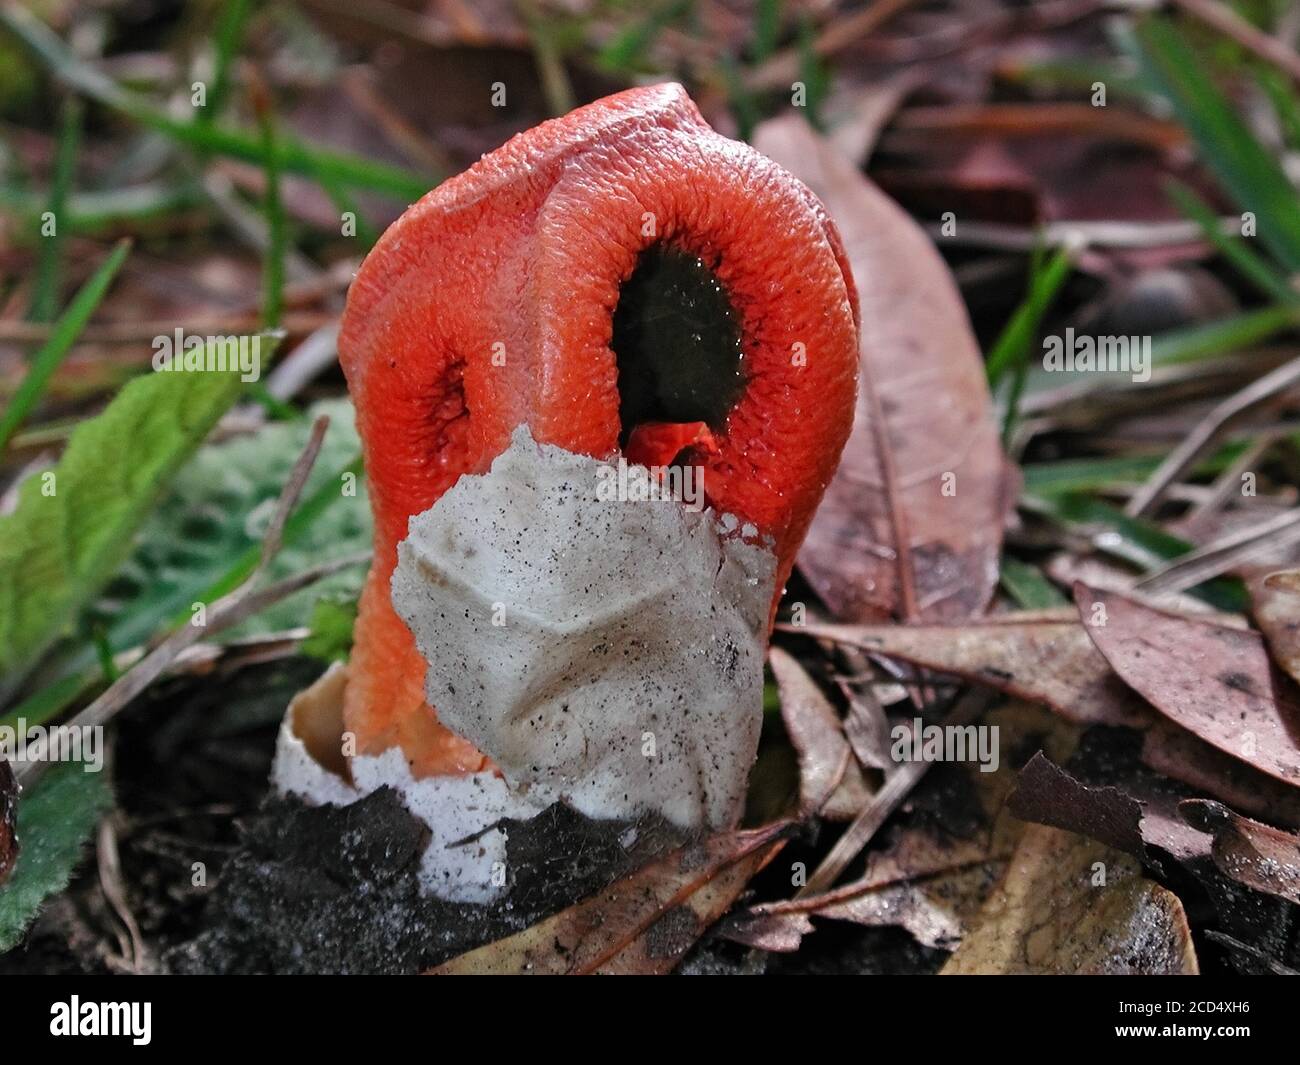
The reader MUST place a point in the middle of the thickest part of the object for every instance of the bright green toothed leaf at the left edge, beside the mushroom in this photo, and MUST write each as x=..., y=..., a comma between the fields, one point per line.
x=73, y=525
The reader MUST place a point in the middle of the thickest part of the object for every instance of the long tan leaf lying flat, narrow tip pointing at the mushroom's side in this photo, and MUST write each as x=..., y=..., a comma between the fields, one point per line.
x=1048, y=663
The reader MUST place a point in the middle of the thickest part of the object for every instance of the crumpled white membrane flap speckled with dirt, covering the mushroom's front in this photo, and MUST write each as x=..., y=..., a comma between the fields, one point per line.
x=604, y=653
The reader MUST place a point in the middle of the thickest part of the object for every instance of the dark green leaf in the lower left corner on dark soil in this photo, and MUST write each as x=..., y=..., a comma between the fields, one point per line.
x=55, y=820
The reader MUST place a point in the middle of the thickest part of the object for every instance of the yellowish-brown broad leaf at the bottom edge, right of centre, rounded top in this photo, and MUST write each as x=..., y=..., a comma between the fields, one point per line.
x=1050, y=916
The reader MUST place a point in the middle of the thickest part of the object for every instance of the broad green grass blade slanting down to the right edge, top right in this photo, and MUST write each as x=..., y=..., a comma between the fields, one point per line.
x=1227, y=146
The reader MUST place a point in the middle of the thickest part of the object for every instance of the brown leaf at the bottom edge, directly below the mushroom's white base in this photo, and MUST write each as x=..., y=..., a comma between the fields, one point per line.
x=643, y=924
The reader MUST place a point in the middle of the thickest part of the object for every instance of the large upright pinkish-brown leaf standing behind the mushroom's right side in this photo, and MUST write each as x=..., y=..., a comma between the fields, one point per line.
x=913, y=522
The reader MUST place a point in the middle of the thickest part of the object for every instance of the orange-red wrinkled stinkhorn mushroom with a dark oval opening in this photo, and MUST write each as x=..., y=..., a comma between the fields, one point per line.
x=532, y=291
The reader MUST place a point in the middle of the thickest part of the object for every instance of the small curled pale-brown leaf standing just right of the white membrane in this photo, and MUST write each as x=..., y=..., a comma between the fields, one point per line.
x=829, y=770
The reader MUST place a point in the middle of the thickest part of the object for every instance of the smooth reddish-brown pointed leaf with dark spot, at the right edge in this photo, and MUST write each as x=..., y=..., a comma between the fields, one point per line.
x=1216, y=682
